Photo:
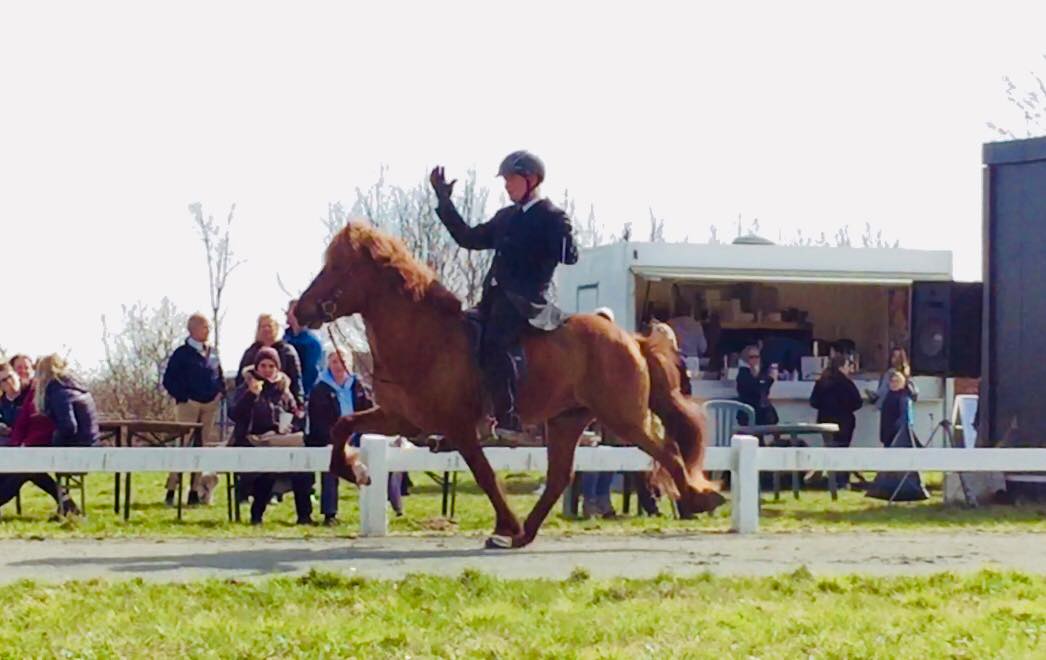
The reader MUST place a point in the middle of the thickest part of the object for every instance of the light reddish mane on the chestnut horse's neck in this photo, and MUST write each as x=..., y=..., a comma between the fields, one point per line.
x=392, y=256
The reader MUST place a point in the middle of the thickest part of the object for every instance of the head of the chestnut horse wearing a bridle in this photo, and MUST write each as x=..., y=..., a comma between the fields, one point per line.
x=342, y=288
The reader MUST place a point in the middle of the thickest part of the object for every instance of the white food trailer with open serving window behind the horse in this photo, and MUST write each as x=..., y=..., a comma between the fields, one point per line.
x=792, y=302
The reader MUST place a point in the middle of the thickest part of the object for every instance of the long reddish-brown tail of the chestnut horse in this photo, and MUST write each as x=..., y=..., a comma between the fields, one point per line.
x=683, y=419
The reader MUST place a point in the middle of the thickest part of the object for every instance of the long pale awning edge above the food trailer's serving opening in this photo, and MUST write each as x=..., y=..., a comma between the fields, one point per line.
x=736, y=275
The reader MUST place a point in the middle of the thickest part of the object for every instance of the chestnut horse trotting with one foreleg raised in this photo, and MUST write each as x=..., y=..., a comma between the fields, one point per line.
x=427, y=379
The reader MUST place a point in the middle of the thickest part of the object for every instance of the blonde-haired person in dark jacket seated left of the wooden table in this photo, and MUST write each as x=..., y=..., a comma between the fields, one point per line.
x=66, y=403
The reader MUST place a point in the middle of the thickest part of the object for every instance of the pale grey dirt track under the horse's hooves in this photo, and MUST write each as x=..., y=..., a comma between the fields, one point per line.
x=551, y=557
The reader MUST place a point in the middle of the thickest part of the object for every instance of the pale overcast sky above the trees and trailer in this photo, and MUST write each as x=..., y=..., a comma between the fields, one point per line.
x=116, y=117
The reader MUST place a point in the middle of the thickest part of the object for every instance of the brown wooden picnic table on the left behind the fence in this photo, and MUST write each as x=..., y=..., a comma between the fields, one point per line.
x=147, y=434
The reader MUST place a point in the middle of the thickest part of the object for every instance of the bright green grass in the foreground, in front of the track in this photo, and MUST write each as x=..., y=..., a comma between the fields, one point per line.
x=322, y=616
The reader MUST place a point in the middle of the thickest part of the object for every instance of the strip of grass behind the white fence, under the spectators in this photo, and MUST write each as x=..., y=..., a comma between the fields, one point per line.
x=813, y=512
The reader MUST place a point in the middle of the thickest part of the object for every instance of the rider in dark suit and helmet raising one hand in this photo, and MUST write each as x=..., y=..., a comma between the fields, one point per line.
x=530, y=239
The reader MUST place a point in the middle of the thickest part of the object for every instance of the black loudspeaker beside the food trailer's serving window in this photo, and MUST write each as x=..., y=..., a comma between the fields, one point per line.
x=947, y=329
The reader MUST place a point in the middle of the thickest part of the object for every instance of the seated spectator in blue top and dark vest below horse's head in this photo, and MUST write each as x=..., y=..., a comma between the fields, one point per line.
x=337, y=394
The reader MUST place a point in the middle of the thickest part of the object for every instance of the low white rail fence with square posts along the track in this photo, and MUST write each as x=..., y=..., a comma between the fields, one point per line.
x=745, y=460
